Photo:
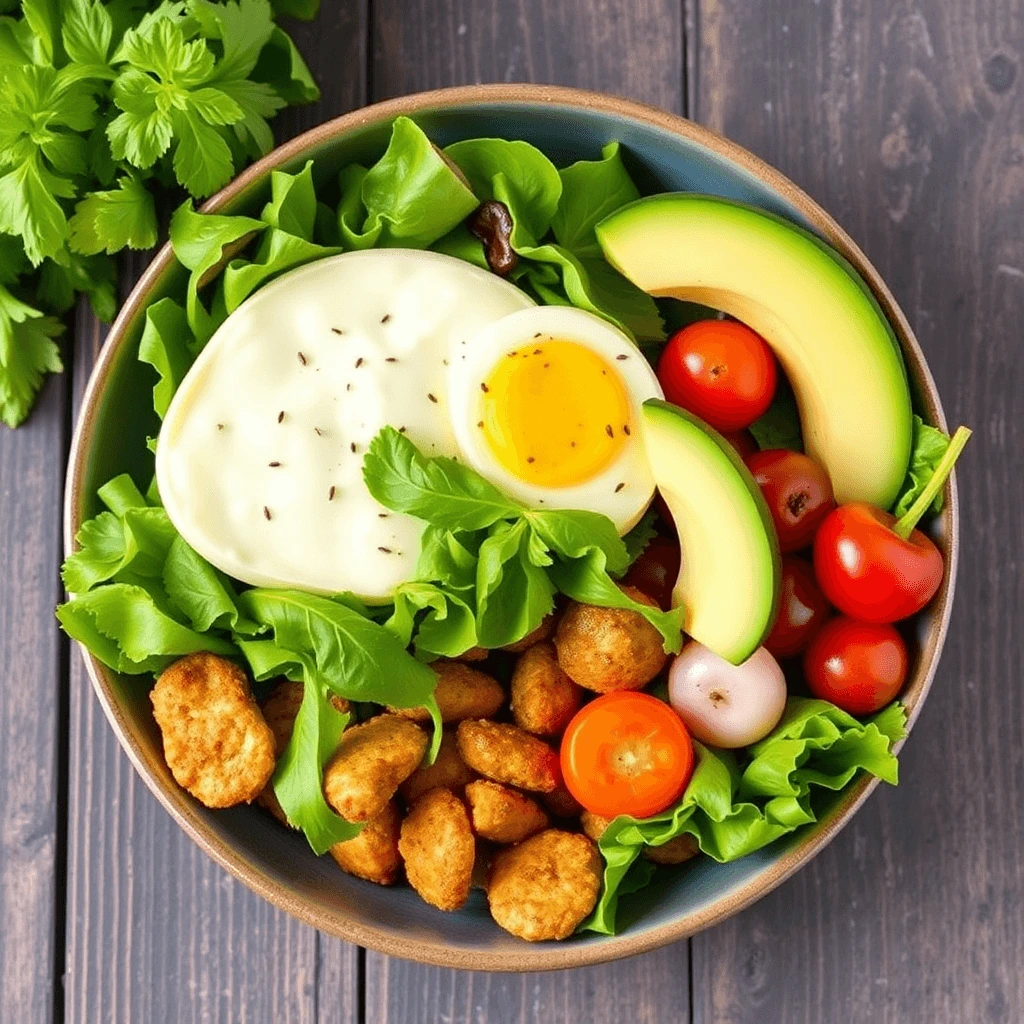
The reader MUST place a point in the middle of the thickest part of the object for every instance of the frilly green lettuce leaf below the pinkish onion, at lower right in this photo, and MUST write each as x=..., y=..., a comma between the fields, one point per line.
x=733, y=810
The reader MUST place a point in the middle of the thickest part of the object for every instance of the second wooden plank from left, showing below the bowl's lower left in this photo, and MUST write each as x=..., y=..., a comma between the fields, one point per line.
x=156, y=931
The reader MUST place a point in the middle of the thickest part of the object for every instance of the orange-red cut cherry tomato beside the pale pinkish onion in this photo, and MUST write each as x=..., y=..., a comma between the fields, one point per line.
x=627, y=753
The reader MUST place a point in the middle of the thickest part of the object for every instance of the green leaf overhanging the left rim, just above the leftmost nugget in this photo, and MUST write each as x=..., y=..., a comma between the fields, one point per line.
x=123, y=627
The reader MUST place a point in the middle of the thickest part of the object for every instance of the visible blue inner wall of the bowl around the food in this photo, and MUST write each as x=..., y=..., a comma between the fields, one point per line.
x=660, y=162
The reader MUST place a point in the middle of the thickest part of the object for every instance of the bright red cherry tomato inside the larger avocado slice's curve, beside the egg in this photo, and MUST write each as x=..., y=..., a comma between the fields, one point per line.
x=721, y=371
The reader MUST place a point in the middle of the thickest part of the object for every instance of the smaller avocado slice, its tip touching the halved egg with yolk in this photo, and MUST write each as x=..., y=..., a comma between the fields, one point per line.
x=730, y=578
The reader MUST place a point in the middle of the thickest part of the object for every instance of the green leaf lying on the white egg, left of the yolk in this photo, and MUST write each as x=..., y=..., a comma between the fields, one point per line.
x=441, y=491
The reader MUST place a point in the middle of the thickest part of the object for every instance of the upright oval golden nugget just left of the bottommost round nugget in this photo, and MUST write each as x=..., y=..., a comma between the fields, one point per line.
x=439, y=847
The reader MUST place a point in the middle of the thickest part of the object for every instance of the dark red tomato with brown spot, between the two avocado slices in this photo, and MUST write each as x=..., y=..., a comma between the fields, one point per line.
x=798, y=493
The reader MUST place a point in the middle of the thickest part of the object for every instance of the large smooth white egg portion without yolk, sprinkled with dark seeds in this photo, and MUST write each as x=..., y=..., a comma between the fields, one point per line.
x=260, y=460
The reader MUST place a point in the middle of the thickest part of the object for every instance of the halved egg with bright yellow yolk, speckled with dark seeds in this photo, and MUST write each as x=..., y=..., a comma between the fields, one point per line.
x=545, y=404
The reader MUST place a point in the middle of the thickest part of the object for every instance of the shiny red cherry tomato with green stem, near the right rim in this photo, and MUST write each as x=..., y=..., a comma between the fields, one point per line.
x=871, y=573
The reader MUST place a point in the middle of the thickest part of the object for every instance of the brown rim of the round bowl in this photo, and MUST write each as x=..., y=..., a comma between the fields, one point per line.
x=541, y=957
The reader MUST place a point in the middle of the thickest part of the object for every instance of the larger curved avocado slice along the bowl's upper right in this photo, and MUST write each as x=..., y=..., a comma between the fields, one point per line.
x=820, y=318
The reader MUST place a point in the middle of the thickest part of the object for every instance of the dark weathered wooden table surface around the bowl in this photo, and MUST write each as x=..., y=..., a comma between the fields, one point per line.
x=906, y=119
